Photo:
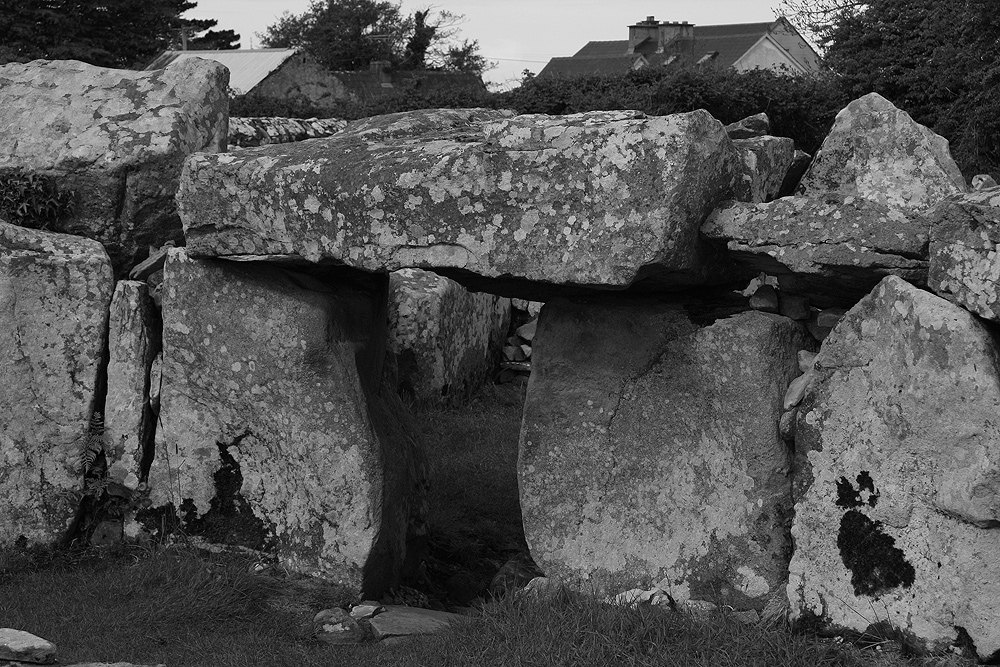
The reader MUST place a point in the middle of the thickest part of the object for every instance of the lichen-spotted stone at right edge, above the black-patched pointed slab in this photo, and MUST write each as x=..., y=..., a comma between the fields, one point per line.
x=965, y=252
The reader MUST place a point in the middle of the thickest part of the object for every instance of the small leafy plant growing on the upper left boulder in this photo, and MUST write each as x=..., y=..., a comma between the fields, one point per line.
x=33, y=200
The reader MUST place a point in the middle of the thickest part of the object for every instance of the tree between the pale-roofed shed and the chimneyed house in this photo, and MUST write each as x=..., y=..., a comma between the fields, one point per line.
x=350, y=34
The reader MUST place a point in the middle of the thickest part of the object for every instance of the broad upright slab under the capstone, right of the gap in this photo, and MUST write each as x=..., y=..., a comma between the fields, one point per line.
x=650, y=452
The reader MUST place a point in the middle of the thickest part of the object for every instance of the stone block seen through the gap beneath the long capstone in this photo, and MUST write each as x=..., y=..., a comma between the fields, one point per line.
x=445, y=338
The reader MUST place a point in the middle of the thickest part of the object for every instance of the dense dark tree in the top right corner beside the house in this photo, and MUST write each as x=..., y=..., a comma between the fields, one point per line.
x=939, y=61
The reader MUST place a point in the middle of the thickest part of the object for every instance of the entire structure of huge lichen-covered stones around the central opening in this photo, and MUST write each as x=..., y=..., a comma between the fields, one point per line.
x=678, y=444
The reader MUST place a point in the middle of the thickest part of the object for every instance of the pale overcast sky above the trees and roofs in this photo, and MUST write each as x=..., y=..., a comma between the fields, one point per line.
x=515, y=34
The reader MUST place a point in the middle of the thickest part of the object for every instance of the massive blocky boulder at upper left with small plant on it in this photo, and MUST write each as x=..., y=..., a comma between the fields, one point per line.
x=117, y=138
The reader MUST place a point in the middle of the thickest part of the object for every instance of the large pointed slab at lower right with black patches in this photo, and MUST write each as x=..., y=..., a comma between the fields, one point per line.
x=897, y=489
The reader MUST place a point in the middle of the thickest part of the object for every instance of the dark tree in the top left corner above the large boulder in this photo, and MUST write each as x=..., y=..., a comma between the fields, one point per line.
x=109, y=33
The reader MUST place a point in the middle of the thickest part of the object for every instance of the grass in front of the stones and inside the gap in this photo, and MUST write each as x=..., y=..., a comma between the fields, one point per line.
x=188, y=608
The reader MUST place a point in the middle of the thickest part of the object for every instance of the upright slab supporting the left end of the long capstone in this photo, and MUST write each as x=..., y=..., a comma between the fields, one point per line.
x=276, y=432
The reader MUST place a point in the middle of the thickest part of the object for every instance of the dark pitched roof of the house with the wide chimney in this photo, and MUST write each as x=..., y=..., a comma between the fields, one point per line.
x=729, y=41
